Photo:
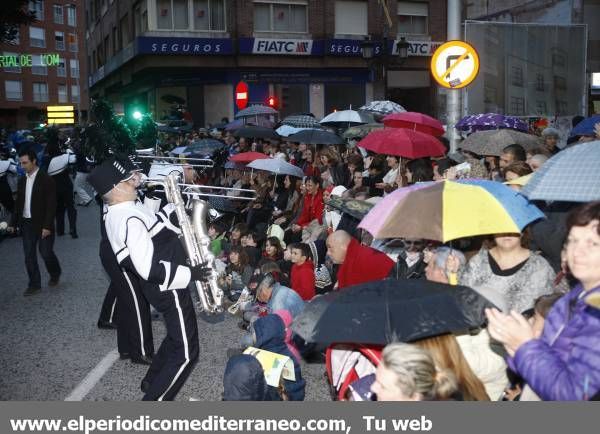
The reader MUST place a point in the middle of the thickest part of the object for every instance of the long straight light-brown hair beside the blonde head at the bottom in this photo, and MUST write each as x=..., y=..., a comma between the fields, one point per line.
x=447, y=355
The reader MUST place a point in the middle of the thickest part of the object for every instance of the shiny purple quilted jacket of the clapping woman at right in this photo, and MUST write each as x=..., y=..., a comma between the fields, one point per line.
x=564, y=364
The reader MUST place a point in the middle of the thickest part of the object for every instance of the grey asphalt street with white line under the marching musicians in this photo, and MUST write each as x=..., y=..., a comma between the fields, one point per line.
x=50, y=342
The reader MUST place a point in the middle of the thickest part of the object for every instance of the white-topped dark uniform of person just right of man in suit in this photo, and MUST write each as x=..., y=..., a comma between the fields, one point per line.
x=57, y=169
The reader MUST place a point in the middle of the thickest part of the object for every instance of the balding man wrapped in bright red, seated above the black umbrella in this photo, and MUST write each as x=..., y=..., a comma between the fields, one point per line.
x=359, y=264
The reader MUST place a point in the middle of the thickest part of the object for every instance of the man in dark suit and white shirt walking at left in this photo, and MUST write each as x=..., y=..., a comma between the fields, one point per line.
x=35, y=210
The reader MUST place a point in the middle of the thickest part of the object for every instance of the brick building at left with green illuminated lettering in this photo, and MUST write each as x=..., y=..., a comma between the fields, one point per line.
x=45, y=65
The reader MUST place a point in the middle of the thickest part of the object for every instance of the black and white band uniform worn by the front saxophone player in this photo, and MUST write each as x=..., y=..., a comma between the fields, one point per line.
x=148, y=245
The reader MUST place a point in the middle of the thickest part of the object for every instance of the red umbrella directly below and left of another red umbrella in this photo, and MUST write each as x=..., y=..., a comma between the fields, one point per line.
x=403, y=143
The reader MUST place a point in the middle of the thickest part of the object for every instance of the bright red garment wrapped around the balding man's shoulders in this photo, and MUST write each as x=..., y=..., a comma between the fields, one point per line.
x=363, y=264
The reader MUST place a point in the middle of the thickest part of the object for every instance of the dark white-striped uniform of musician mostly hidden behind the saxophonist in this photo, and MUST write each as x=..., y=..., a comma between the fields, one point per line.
x=124, y=304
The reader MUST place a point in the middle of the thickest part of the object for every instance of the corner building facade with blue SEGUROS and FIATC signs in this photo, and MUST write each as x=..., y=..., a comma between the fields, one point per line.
x=305, y=53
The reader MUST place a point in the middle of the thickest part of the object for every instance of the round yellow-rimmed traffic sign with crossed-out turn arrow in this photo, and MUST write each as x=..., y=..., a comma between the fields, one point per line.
x=455, y=64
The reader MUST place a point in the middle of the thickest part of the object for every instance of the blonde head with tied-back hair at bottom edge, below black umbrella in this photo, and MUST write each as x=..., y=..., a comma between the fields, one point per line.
x=408, y=373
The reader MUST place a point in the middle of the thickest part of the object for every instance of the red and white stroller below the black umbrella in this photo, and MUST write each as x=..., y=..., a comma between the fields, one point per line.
x=346, y=363
